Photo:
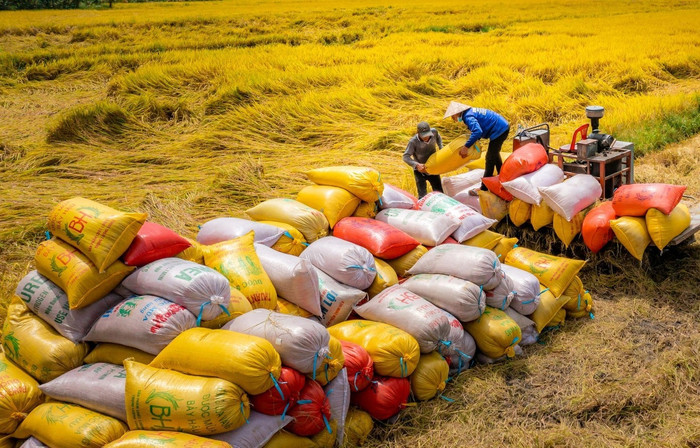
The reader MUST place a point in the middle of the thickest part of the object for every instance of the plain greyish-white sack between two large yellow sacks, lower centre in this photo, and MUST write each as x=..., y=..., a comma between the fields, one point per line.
x=301, y=343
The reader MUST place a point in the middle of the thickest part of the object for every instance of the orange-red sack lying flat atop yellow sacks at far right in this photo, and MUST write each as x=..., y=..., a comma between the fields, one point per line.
x=637, y=199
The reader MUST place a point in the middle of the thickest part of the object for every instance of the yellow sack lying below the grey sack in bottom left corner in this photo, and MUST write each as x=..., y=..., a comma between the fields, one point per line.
x=62, y=425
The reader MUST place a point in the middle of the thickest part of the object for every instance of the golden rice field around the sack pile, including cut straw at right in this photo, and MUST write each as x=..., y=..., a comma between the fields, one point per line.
x=202, y=109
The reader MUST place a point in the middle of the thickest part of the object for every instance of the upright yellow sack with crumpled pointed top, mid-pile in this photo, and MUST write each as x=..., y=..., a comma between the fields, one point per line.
x=239, y=263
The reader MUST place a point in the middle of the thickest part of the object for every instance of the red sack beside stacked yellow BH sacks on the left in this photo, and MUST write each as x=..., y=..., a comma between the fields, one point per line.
x=152, y=243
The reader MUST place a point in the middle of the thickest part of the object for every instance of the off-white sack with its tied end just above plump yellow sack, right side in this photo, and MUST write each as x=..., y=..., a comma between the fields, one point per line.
x=460, y=297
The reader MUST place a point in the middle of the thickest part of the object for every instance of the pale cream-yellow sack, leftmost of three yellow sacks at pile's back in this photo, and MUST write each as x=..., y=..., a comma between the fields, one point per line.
x=309, y=221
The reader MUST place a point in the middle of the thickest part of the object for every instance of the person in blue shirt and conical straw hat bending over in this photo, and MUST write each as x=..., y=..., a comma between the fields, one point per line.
x=482, y=123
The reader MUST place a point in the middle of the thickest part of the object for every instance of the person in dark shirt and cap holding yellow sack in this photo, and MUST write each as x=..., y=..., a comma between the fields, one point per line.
x=419, y=149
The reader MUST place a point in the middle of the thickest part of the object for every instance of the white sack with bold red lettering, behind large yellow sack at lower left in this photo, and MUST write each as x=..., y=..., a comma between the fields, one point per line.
x=145, y=322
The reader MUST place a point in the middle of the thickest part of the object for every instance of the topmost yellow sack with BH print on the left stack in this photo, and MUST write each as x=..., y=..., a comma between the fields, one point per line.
x=101, y=233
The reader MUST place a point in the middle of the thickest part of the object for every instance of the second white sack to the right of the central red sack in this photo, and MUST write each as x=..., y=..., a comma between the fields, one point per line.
x=471, y=222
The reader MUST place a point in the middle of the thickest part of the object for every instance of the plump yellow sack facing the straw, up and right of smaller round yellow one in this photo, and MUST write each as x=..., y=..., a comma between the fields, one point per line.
x=495, y=333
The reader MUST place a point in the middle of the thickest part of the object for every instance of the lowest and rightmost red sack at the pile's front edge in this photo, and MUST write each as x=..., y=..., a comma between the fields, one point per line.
x=384, y=398
